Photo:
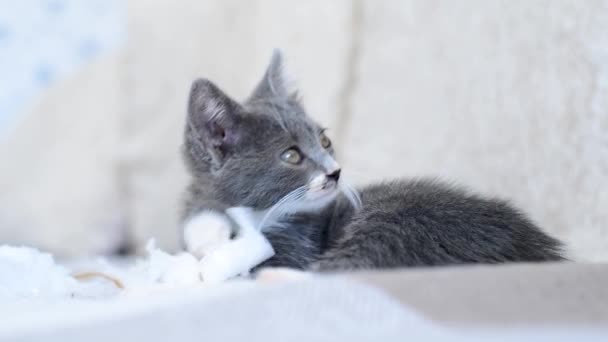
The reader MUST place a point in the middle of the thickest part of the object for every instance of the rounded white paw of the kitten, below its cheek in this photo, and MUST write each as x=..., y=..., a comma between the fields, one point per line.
x=205, y=232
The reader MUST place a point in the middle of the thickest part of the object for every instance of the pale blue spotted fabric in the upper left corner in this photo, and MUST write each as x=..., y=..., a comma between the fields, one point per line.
x=41, y=42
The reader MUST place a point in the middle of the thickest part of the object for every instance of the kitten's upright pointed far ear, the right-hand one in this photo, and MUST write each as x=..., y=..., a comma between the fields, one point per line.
x=275, y=84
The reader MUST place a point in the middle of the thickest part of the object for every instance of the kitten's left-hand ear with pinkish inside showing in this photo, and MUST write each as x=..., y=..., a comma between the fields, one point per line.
x=213, y=118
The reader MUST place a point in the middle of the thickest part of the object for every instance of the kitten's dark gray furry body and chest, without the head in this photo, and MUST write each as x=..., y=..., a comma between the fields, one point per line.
x=410, y=223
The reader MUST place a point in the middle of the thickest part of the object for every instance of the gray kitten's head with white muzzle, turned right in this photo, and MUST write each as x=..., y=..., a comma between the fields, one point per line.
x=258, y=152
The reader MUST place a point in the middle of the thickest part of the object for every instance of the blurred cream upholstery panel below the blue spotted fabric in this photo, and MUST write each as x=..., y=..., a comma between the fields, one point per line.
x=59, y=173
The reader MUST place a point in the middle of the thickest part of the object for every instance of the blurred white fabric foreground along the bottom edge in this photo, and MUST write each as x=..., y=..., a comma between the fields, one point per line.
x=318, y=310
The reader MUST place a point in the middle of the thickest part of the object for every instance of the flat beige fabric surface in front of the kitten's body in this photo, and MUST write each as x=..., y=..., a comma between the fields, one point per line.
x=509, y=295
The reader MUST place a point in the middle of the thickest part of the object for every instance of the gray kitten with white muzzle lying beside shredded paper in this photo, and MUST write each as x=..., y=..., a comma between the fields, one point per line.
x=267, y=154
